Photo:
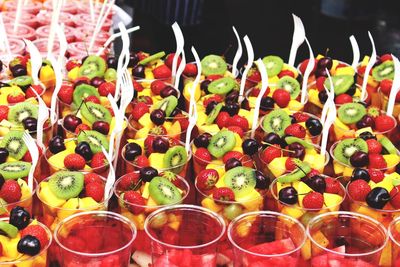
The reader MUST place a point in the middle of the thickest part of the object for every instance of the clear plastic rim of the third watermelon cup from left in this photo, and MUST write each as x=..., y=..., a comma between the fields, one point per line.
x=266, y=214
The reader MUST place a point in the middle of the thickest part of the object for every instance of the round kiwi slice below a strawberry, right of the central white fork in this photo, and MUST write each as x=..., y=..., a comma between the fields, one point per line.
x=276, y=122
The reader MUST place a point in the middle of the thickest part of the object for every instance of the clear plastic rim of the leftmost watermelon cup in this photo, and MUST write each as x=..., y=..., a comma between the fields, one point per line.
x=99, y=214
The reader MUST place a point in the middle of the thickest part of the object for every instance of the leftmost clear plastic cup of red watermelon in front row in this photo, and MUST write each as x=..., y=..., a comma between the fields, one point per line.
x=96, y=238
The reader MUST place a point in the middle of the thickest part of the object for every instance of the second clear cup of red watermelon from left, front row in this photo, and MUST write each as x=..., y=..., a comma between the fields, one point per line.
x=184, y=235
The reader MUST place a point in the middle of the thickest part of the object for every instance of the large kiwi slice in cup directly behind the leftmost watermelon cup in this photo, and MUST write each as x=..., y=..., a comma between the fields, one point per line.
x=66, y=185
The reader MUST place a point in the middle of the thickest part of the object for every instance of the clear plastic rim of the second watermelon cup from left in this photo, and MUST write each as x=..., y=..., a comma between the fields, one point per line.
x=192, y=208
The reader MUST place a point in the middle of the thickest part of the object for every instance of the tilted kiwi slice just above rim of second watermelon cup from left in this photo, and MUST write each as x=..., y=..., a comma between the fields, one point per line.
x=163, y=192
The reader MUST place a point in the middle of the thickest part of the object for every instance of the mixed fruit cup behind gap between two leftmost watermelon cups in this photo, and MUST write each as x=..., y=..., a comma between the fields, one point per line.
x=141, y=193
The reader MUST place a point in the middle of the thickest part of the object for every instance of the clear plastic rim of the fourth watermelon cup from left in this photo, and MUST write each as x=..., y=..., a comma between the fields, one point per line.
x=371, y=221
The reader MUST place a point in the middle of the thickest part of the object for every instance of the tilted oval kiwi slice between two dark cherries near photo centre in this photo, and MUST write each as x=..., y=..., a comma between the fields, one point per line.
x=221, y=143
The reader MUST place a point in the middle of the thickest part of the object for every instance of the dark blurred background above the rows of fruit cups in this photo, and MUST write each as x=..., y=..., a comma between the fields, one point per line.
x=207, y=25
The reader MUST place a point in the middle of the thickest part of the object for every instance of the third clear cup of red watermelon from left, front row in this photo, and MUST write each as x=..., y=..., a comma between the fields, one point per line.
x=266, y=238
